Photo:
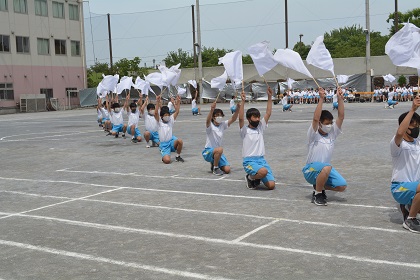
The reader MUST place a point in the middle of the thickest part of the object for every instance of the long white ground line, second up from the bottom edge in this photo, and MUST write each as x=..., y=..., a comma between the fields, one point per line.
x=226, y=242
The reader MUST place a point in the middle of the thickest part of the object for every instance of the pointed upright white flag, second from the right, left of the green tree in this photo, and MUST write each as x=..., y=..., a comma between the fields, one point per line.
x=319, y=56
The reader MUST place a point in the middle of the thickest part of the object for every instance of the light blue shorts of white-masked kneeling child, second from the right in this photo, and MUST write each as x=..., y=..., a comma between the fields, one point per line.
x=312, y=170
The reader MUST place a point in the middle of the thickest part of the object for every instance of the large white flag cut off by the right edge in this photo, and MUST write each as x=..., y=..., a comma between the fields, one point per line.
x=403, y=48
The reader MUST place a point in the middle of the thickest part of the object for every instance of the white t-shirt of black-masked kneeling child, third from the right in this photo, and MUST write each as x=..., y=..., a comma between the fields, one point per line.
x=253, y=140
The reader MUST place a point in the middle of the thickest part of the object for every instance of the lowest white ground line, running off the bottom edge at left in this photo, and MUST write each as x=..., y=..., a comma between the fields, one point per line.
x=110, y=261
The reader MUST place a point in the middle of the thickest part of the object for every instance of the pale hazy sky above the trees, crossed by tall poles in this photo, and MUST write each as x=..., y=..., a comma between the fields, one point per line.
x=152, y=29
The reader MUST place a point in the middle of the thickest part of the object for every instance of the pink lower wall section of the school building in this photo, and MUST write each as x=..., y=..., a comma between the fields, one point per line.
x=56, y=77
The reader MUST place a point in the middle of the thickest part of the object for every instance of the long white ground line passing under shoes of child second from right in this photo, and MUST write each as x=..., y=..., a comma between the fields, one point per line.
x=195, y=193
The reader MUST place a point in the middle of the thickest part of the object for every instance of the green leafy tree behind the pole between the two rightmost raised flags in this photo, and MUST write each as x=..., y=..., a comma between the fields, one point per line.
x=351, y=42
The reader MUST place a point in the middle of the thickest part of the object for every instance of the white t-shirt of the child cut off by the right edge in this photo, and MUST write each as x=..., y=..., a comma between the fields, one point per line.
x=405, y=161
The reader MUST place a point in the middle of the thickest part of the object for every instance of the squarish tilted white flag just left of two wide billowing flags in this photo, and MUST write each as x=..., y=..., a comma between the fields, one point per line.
x=262, y=57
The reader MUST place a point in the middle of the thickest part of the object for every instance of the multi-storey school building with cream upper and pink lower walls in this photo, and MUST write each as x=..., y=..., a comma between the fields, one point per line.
x=42, y=61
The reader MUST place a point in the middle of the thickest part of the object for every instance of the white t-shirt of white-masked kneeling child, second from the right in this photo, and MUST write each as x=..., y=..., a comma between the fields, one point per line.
x=320, y=148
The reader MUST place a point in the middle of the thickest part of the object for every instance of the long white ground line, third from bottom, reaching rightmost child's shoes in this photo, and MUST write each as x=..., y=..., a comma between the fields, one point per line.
x=224, y=213
